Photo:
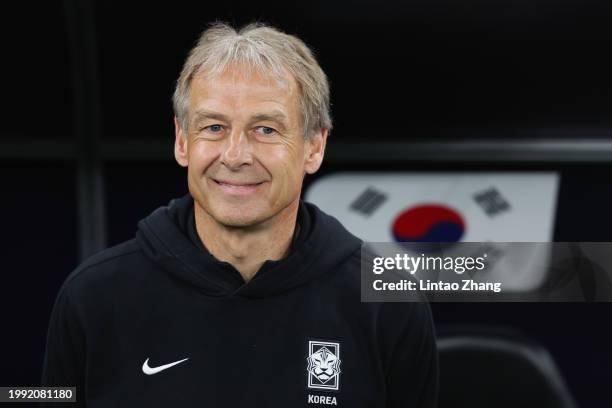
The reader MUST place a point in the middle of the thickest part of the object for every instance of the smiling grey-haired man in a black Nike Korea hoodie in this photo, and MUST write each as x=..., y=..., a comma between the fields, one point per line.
x=239, y=294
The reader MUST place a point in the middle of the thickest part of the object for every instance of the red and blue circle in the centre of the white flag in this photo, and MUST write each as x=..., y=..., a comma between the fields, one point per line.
x=428, y=223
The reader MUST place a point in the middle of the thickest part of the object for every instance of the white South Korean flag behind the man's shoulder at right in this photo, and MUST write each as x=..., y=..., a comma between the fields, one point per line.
x=450, y=207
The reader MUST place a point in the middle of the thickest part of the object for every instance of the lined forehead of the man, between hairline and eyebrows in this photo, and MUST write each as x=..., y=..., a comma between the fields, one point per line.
x=243, y=88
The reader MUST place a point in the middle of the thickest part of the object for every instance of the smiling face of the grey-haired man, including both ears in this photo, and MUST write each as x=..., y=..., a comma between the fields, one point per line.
x=245, y=150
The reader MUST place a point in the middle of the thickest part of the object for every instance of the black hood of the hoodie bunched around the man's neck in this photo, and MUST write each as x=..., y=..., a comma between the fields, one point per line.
x=322, y=243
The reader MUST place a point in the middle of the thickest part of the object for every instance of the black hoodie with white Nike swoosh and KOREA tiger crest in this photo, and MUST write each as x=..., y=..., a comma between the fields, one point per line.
x=158, y=322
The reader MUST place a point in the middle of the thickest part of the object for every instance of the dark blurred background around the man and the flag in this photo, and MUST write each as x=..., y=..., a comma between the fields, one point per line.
x=86, y=110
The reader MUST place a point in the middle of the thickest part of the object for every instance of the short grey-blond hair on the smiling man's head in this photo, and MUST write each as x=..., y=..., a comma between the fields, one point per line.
x=268, y=51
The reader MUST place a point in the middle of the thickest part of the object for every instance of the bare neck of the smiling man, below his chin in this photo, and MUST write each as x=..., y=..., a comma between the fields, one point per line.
x=247, y=248
